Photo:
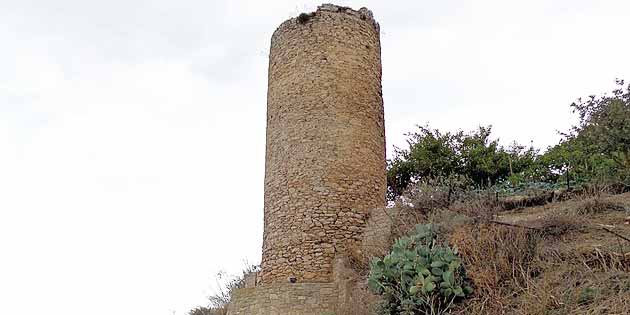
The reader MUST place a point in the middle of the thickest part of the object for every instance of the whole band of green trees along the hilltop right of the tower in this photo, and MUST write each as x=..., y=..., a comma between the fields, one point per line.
x=597, y=150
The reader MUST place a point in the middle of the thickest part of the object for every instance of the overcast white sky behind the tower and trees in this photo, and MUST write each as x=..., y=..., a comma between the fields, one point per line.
x=132, y=133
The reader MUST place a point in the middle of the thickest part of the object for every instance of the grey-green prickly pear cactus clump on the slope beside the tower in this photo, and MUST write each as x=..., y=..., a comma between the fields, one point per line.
x=419, y=275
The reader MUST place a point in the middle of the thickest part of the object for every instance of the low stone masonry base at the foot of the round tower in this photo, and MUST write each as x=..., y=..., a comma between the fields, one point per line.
x=286, y=299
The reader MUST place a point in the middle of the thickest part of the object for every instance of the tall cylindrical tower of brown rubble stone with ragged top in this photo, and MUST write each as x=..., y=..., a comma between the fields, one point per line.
x=325, y=159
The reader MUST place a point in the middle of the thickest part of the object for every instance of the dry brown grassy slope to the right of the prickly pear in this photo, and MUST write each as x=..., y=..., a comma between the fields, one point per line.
x=564, y=262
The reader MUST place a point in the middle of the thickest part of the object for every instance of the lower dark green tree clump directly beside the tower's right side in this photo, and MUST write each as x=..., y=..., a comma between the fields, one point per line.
x=433, y=154
